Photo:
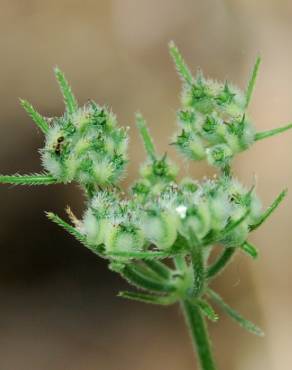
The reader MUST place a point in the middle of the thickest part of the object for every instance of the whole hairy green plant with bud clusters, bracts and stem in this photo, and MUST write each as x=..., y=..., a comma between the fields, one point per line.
x=160, y=235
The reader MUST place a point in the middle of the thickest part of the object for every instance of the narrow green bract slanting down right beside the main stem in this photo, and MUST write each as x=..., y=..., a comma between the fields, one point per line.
x=246, y=324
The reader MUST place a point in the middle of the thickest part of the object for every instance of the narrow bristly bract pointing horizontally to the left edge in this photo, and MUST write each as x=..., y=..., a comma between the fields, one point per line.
x=31, y=179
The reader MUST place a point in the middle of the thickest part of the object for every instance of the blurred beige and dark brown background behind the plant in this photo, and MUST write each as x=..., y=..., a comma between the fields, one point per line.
x=58, y=309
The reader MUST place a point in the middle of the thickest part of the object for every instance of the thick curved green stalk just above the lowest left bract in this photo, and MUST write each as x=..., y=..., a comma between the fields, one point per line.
x=141, y=280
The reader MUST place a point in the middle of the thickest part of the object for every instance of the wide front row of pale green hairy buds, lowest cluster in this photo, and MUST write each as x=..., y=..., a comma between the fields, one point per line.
x=219, y=210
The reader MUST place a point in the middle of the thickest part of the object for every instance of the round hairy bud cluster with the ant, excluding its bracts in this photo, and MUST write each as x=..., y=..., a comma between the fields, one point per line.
x=87, y=147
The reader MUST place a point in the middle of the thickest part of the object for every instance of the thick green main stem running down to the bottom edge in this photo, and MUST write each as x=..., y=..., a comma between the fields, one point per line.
x=198, y=331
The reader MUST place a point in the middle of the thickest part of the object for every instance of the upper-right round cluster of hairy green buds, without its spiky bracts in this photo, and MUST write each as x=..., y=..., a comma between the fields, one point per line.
x=213, y=122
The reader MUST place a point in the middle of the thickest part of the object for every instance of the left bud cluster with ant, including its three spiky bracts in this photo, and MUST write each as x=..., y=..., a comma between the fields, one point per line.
x=85, y=145
